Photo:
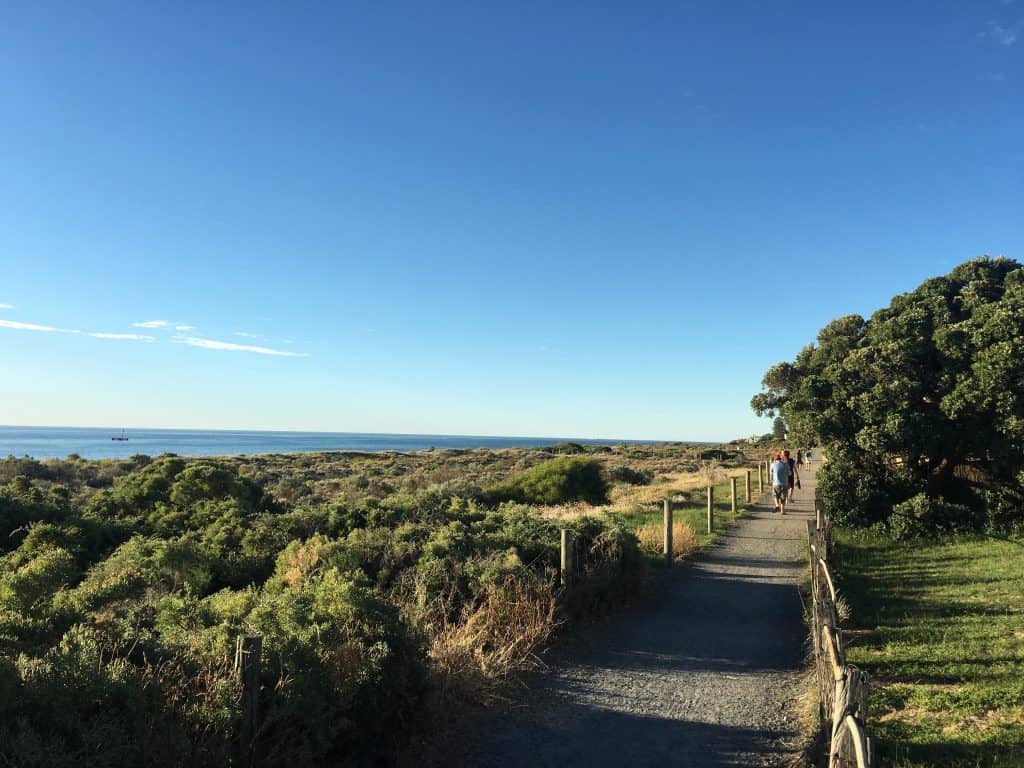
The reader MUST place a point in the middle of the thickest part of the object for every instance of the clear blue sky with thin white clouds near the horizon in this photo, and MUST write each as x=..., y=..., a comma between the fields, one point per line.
x=573, y=220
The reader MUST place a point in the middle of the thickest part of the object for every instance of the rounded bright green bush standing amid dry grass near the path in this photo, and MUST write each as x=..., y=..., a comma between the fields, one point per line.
x=557, y=482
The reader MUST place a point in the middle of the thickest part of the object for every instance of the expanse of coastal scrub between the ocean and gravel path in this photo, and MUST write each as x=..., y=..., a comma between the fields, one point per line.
x=387, y=588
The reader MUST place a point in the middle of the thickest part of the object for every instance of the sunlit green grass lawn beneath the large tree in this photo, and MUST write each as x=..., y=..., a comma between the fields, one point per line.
x=941, y=628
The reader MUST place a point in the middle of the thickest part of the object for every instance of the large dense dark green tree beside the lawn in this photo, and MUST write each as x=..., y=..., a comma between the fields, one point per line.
x=927, y=397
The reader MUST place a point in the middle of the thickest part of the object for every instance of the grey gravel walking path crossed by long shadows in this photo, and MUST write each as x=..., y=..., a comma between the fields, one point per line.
x=704, y=676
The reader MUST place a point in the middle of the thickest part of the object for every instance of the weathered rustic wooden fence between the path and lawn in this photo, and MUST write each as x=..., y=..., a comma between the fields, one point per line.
x=842, y=689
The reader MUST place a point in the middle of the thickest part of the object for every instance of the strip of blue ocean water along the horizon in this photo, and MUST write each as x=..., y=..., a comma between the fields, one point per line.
x=58, y=443
